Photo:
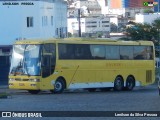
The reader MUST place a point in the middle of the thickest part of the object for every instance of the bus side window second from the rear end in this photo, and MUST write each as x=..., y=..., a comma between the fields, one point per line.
x=126, y=52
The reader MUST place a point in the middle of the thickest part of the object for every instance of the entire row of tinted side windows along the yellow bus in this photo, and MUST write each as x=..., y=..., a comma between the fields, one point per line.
x=109, y=52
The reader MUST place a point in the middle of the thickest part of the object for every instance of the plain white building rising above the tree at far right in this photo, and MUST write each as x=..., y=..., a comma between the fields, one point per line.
x=146, y=18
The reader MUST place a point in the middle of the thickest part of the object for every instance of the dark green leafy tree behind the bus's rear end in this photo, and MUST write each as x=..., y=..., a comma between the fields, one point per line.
x=150, y=32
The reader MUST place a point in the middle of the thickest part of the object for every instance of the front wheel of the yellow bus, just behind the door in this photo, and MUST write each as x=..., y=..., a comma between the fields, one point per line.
x=59, y=86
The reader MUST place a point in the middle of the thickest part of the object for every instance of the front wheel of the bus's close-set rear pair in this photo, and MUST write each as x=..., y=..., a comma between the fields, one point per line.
x=118, y=84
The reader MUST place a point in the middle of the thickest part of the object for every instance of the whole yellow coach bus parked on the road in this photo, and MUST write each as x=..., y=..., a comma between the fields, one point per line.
x=76, y=63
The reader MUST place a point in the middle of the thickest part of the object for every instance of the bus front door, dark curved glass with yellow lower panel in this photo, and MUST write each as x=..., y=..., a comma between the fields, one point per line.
x=48, y=60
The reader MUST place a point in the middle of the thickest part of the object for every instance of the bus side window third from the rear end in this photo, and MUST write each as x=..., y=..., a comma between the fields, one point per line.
x=112, y=52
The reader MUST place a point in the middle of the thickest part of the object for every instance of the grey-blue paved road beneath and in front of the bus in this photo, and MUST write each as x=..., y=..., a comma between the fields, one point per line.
x=140, y=99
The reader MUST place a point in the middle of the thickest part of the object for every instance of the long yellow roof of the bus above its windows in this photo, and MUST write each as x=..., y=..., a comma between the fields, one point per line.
x=84, y=41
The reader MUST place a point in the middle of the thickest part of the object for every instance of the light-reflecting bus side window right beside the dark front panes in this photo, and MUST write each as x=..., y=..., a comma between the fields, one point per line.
x=98, y=51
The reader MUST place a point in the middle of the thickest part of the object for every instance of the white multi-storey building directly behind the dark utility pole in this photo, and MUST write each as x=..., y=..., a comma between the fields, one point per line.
x=90, y=25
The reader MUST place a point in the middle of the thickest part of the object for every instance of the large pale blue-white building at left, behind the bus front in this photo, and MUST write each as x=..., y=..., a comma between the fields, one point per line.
x=32, y=19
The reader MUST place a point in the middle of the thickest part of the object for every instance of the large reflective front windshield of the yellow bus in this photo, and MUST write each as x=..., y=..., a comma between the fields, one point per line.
x=25, y=60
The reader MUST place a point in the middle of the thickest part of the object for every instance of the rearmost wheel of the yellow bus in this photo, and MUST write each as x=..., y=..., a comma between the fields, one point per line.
x=130, y=83
